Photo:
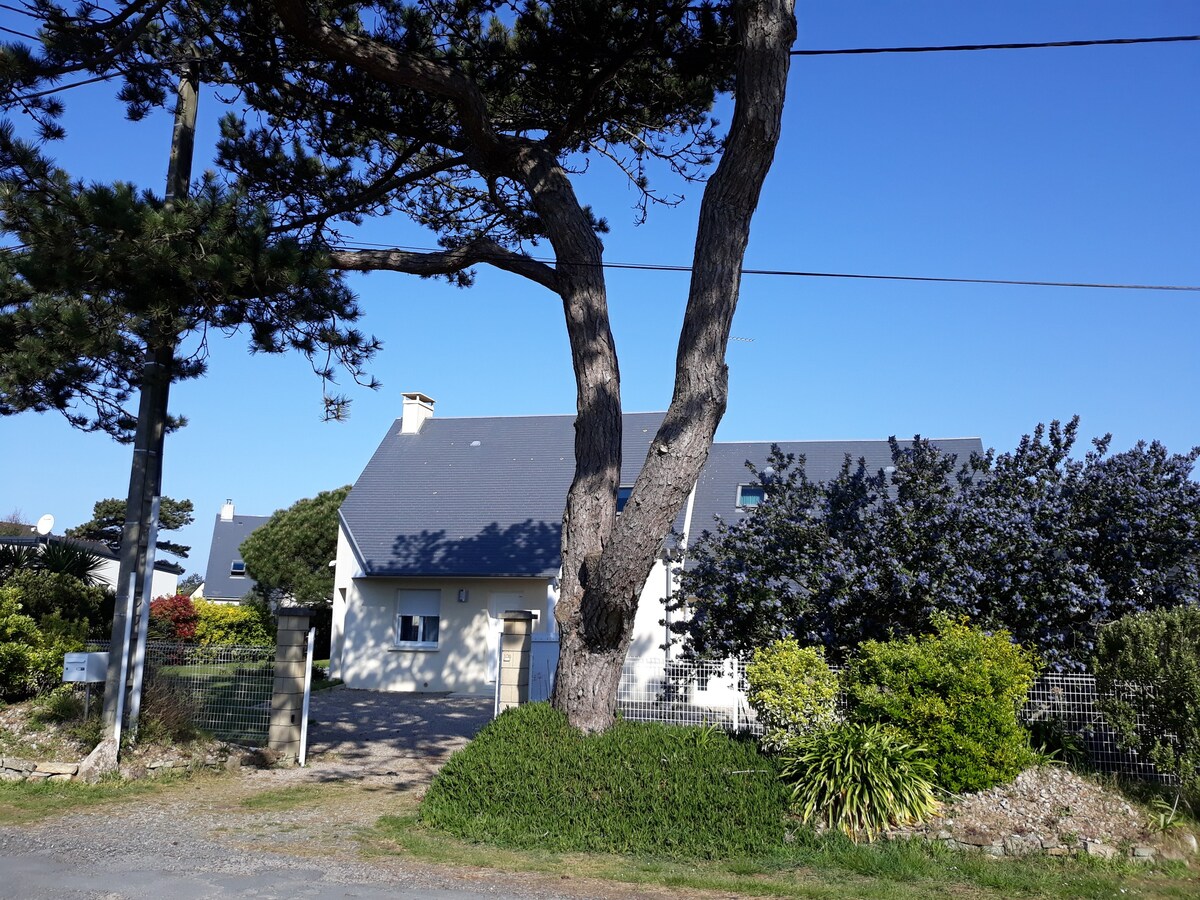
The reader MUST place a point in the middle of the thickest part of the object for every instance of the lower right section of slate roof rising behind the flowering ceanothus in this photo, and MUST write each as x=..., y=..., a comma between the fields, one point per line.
x=725, y=470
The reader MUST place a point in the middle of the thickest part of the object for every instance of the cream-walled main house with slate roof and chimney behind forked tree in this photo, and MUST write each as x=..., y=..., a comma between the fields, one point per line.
x=455, y=521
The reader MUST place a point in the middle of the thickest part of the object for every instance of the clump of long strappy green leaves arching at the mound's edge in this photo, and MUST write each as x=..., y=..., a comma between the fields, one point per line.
x=860, y=779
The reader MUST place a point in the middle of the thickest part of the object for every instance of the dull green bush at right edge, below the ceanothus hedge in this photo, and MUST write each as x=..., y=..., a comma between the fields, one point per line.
x=1150, y=663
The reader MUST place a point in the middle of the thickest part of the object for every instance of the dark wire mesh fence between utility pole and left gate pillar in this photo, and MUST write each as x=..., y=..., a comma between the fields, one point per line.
x=224, y=692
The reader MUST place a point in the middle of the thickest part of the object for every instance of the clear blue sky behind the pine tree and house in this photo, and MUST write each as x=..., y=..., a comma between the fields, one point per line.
x=1064, y=165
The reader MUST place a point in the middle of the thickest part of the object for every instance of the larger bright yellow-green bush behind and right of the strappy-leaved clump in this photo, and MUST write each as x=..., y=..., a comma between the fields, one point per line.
x=957, y=693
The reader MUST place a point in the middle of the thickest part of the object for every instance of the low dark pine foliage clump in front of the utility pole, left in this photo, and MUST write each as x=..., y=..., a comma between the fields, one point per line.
x=104, y=272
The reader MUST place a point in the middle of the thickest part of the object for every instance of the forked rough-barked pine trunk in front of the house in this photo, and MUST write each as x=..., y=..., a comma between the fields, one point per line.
x=607, y=560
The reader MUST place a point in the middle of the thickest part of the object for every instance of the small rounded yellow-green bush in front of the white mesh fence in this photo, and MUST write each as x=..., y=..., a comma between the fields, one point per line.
x=794, y=692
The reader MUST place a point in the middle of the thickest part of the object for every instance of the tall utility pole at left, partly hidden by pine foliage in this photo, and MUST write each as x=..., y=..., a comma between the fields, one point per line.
x=134, y=585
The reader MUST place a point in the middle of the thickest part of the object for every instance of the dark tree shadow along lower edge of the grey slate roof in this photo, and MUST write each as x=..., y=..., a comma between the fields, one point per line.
x=521, y=549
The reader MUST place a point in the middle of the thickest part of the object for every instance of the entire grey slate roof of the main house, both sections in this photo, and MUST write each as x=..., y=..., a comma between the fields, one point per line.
x=485, y=496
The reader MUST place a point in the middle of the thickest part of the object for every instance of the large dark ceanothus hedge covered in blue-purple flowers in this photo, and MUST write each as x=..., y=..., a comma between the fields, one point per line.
x=1033, y=542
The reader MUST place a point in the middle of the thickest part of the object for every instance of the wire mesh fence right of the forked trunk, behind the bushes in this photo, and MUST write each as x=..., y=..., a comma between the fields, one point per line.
x=1061, y=710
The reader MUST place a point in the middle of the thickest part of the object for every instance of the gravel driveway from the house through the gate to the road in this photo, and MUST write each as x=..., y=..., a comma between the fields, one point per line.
x=371, y=753
